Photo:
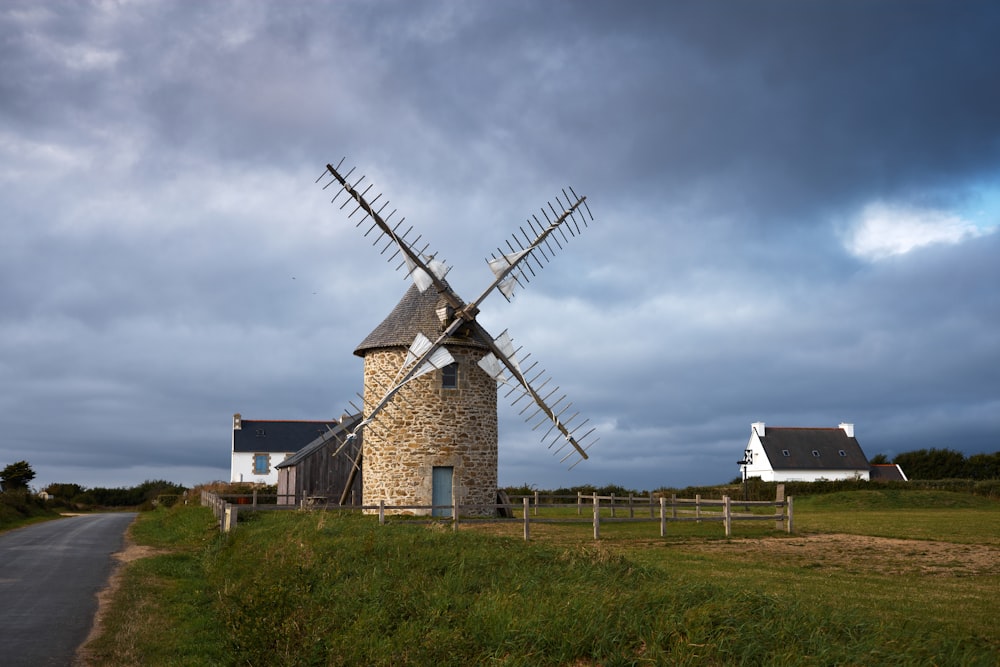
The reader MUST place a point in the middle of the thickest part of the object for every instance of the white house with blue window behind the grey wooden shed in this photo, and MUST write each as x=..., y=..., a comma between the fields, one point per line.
x=258, y=445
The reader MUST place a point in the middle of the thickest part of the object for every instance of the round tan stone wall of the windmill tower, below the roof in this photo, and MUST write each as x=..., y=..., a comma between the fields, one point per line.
x=427, y=426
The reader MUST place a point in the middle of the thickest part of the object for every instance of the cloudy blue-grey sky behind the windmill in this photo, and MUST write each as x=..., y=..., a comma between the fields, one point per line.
x=796, y=210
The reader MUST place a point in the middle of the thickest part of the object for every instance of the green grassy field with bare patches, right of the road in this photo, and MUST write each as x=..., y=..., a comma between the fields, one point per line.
x=319, y=588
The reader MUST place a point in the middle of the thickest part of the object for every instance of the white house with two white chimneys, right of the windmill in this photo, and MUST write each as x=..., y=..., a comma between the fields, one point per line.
x=782, y=454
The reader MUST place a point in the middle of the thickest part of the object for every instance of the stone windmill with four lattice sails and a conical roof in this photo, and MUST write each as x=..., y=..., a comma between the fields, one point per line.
x=429, y=419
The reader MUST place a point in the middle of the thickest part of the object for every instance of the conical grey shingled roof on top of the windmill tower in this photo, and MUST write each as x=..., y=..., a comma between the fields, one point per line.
x=415, y=313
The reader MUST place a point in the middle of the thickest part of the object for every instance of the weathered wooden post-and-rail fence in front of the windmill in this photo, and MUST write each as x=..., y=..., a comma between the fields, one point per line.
x=602, y=510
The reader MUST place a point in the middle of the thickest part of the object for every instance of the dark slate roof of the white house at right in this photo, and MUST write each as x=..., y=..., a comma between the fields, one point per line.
x=836, y=451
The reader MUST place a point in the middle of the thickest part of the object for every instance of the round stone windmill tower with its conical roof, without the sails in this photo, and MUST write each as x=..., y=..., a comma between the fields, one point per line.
x=440, y=437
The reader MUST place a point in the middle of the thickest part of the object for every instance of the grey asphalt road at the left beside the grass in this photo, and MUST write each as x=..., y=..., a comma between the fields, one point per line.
x=50, y=574
